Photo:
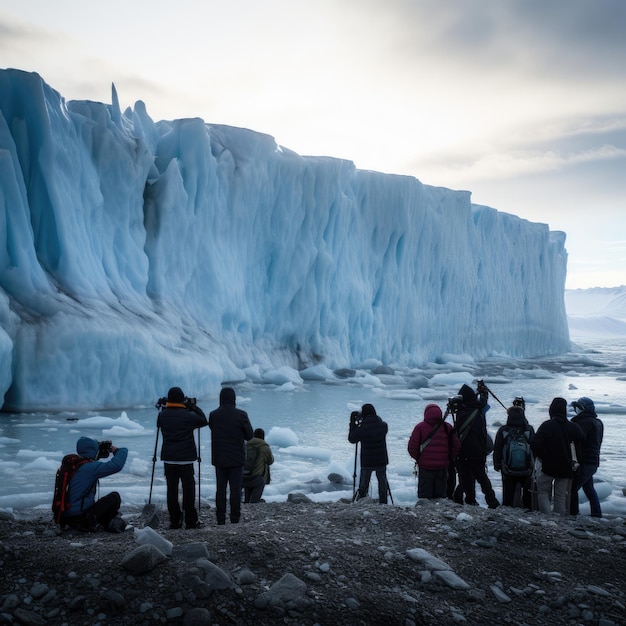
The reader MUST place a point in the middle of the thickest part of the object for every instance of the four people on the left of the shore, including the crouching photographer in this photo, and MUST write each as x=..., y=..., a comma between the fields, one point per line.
x=232, y=442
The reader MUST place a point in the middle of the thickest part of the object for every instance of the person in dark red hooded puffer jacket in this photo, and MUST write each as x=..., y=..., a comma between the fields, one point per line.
x=433, y=444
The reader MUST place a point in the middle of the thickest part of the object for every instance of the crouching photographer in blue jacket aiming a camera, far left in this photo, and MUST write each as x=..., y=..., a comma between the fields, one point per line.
x=81, y=510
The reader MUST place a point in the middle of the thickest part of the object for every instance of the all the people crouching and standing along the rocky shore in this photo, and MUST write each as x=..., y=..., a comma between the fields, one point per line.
x=542, y=470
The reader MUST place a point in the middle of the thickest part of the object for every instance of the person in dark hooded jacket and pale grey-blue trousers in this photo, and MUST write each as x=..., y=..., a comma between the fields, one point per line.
x=552, y=445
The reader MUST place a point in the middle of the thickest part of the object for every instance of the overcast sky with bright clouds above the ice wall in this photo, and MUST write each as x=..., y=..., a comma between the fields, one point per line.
x=522, y=102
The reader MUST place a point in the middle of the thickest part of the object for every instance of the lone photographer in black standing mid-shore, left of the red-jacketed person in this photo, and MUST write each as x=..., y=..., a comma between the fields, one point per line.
x=371, y=432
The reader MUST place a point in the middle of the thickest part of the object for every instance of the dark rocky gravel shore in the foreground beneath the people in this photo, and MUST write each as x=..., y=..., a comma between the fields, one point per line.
x=306, y=563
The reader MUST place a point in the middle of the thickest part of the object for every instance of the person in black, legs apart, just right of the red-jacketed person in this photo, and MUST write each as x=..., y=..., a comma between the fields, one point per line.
x=471, y=464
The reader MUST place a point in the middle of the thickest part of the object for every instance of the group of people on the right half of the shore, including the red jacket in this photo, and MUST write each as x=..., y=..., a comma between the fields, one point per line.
x=541, y=470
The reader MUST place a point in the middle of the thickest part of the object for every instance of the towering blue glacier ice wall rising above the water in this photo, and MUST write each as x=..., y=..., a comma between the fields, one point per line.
x=136, y=255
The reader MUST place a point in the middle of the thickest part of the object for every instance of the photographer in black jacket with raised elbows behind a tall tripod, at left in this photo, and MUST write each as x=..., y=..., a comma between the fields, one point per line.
x=177, y=421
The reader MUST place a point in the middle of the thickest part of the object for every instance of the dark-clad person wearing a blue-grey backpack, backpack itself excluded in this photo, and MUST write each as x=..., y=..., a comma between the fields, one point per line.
x=513, y=481
